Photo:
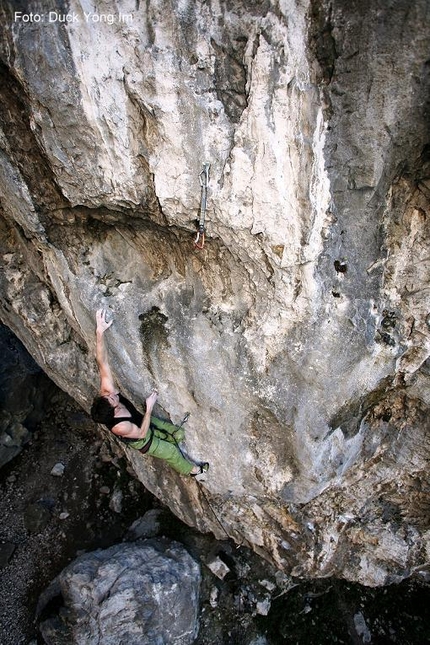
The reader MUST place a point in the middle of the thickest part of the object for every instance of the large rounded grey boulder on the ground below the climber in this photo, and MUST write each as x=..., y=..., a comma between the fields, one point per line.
x=141, y=594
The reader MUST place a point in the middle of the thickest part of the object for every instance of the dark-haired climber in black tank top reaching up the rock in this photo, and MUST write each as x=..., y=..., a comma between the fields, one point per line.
x=144, y=432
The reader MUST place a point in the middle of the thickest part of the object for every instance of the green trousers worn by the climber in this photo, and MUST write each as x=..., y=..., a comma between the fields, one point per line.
x=165, y=437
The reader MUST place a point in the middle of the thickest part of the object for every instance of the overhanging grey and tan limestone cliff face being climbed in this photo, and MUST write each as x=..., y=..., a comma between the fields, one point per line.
x=299, y=337
